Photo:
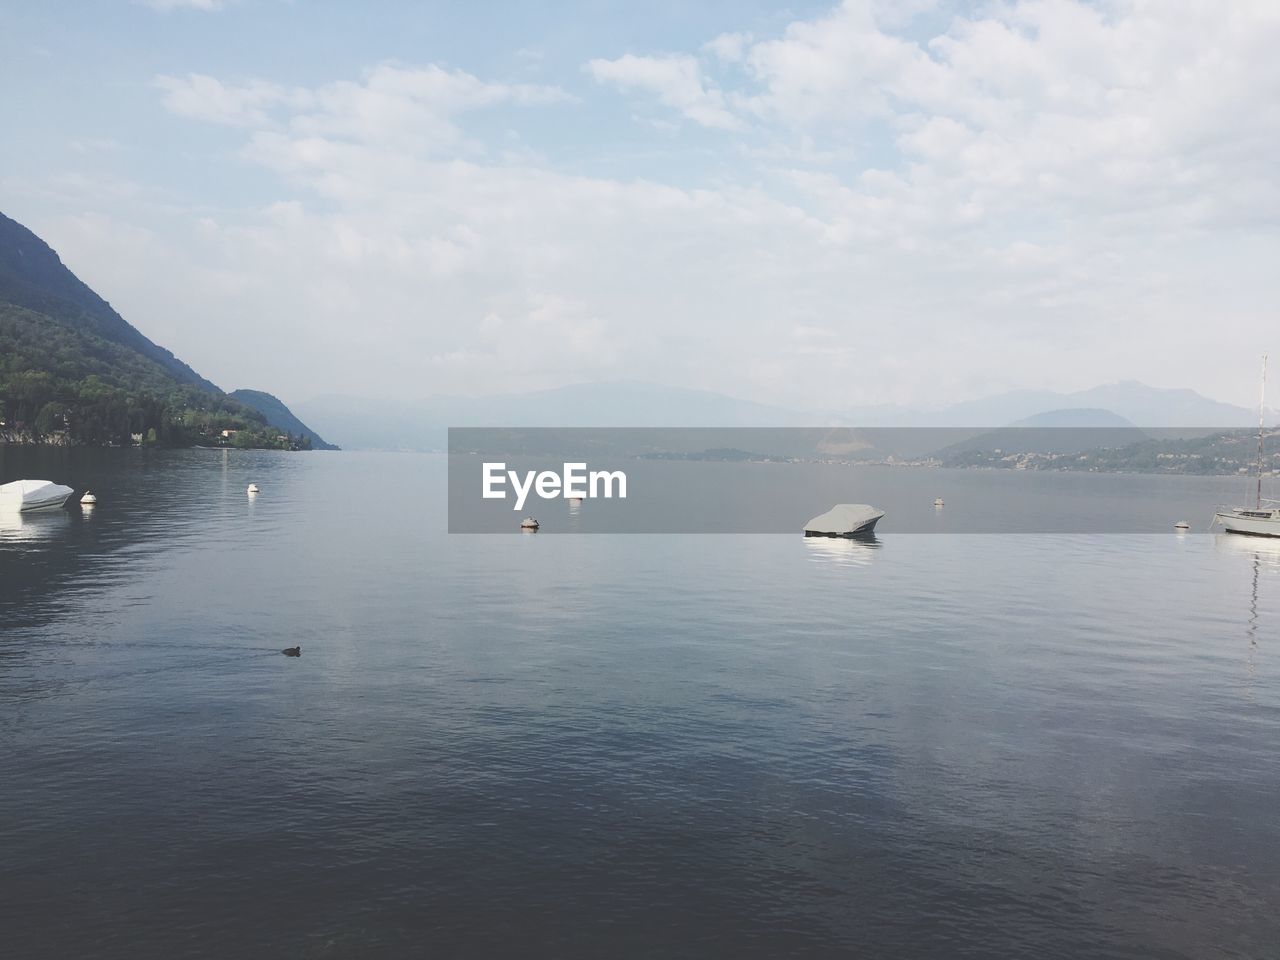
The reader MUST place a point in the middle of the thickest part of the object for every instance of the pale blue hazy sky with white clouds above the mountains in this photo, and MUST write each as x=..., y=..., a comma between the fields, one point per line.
x=816, y=205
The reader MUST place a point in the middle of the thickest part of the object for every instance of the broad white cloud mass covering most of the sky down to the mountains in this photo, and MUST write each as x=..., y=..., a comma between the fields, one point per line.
x=1044, y=194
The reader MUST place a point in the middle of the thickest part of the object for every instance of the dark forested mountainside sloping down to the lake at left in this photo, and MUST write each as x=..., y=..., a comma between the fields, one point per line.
x=74, y=371
